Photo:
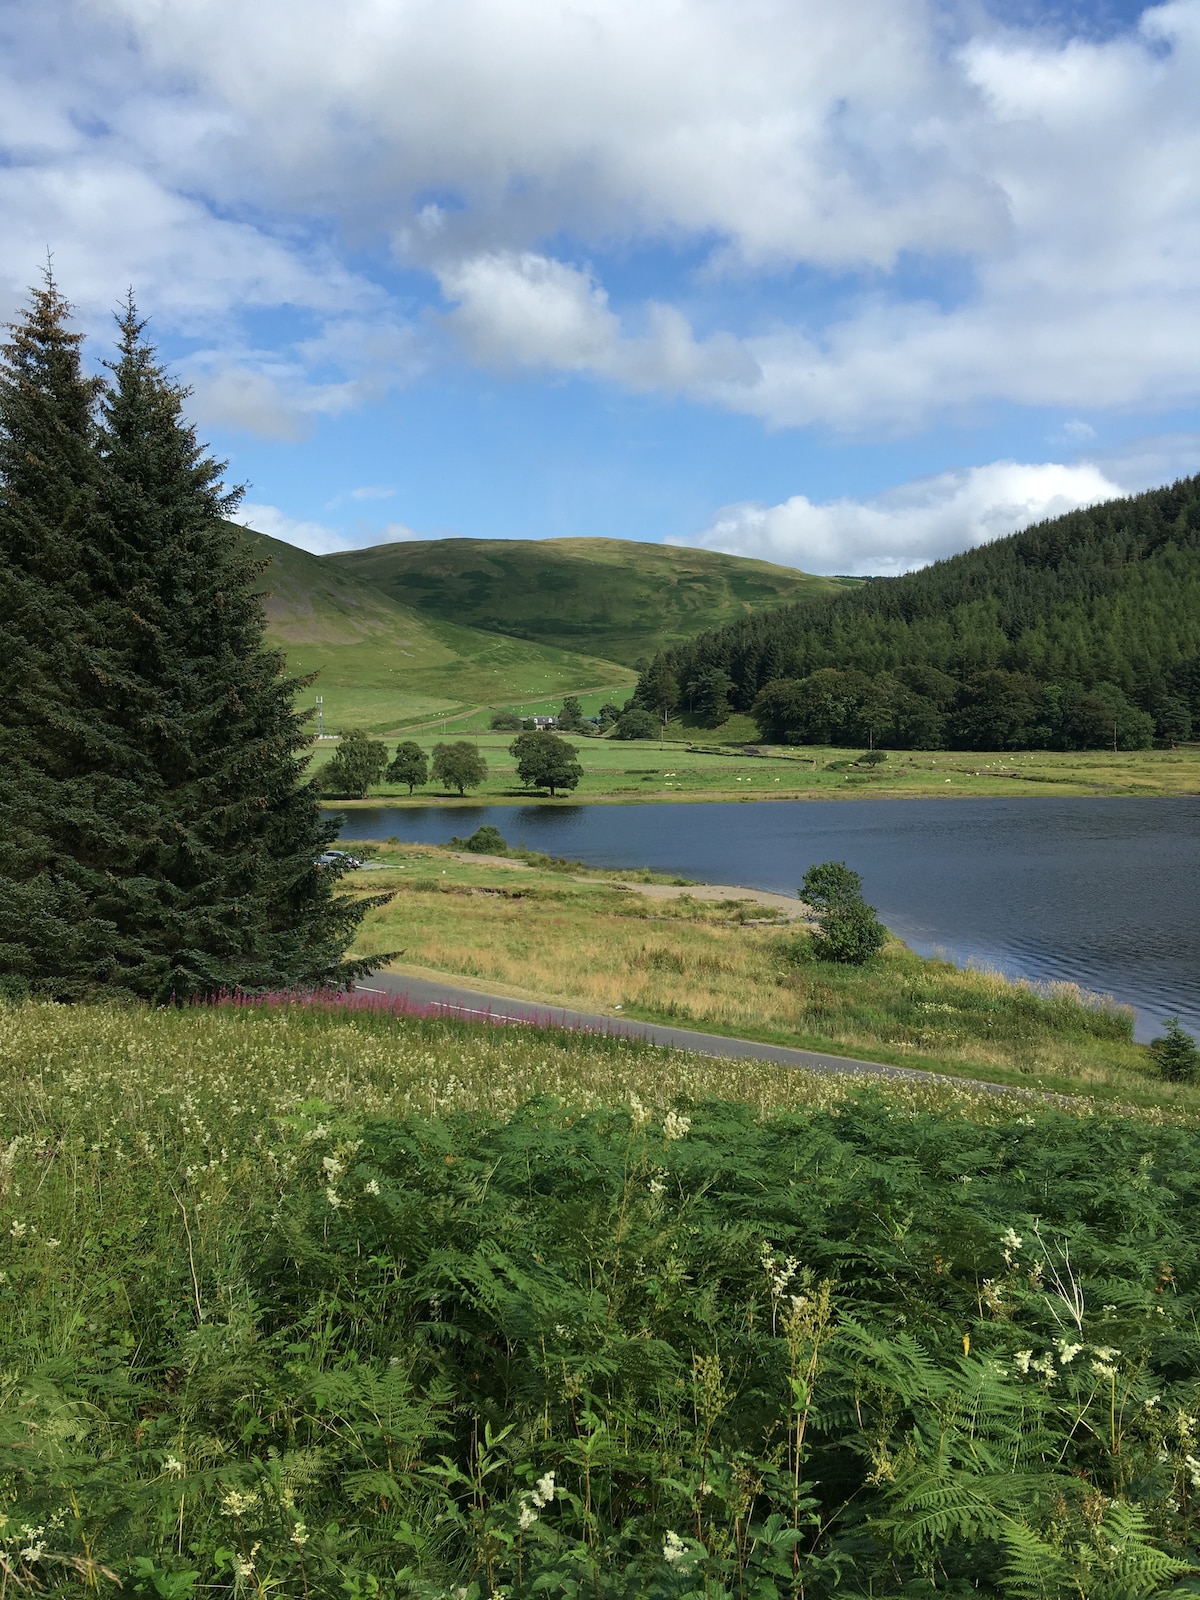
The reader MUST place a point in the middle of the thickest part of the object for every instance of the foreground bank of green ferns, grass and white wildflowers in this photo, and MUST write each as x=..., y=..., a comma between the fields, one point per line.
x=322, y=1305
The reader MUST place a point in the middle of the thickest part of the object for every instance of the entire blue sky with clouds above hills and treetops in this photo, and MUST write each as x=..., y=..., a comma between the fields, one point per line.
x=841, y=287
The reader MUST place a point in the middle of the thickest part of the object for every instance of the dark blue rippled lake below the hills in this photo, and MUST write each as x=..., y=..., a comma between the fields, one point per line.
x=1100, y=892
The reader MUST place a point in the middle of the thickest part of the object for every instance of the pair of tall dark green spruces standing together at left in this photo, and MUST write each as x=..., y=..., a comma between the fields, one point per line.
x=159, y=836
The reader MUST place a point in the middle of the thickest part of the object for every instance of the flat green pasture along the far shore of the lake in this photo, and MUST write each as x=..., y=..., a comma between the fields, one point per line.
x=636, y=770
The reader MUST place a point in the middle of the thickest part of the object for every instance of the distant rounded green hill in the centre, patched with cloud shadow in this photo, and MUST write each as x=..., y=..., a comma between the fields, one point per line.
x=615, y=598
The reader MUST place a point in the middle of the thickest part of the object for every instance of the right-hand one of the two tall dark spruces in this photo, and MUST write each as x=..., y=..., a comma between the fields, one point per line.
x=226, y=892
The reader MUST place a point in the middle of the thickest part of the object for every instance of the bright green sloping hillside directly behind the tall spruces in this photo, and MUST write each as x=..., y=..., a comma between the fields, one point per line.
x=383, y=665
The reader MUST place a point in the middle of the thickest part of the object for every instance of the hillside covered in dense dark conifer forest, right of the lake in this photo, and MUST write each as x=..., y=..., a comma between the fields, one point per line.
x=1078, y=633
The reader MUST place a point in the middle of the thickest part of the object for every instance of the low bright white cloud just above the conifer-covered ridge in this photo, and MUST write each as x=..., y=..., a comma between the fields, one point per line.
x=910, y=526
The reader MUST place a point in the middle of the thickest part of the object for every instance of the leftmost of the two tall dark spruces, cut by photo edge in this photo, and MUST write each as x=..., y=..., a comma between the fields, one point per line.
x=66, y=788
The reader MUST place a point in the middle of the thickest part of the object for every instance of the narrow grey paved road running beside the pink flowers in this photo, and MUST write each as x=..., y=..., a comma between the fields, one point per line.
x=500, y=1009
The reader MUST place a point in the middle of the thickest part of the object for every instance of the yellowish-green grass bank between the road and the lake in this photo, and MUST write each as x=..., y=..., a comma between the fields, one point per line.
x=566, y=935
